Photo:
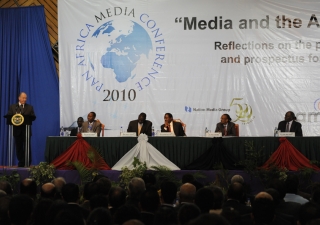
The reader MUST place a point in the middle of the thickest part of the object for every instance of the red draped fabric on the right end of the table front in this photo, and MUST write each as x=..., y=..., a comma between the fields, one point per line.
x=287, y=156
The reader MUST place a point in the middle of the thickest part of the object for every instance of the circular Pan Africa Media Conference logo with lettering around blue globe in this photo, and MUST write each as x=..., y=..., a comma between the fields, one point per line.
x=125, y=46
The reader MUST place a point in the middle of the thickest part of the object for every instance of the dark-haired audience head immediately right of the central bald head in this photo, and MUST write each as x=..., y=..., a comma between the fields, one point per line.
x=204, y=199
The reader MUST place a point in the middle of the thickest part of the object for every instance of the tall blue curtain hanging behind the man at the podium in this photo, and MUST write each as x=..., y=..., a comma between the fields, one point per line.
x=26, y=65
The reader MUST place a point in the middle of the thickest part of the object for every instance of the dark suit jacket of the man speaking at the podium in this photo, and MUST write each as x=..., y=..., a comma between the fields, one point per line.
x=26, y=111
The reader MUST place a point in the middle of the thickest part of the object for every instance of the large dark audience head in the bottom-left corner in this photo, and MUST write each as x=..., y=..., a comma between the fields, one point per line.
x=20, y=209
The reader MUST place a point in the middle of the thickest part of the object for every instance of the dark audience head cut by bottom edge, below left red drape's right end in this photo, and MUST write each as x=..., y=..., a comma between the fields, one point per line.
x=99, y=216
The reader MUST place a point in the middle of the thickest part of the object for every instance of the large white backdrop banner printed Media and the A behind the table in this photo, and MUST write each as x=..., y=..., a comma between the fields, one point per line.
x=254, y=60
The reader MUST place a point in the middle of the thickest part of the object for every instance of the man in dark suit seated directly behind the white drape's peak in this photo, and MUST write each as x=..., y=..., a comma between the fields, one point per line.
x=141, y=125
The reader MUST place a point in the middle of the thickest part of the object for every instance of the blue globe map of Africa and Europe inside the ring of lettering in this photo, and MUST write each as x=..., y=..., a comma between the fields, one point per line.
x=123, y=47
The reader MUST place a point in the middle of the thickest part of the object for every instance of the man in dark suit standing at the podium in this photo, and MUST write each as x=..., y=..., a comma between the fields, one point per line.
x=19, y=132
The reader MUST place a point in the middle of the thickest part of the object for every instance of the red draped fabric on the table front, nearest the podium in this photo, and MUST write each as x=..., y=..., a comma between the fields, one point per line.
x=77, y=152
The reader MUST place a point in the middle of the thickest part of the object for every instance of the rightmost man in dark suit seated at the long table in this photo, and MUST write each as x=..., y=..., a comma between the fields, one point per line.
x=290, y=125
